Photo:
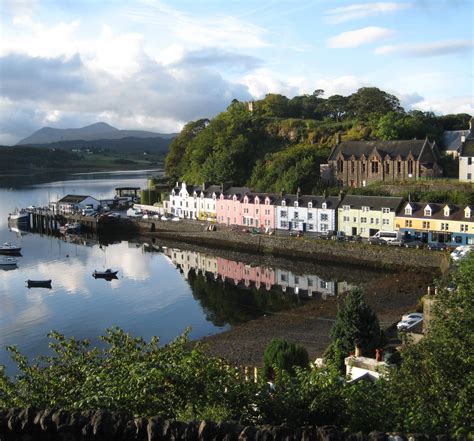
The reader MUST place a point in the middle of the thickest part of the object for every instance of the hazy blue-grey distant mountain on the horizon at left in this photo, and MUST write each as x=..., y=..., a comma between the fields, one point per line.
x=93, y=132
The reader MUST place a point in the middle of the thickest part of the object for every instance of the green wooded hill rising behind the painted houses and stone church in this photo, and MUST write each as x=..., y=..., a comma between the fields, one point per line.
x=278, y=143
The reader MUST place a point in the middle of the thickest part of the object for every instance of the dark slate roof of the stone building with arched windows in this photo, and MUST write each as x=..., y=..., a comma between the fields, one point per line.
x=391, y=148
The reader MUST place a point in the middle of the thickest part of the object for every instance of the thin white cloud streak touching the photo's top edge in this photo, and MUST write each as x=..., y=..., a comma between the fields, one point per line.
x=363, y=10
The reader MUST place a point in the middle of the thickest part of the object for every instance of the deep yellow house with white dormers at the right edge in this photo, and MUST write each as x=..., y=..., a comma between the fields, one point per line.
x=437, y=223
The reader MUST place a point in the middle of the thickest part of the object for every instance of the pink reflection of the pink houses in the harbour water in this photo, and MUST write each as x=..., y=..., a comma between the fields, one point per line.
x=241, y=272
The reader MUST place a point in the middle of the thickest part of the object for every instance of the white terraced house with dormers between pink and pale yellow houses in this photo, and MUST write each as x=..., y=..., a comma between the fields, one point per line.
x=314, y=214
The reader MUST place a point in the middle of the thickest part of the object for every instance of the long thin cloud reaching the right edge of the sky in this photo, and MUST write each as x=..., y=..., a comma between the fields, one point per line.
x=433, y=49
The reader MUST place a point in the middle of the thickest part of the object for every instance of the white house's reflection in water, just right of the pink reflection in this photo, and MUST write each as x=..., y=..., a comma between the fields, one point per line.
x=308, y=284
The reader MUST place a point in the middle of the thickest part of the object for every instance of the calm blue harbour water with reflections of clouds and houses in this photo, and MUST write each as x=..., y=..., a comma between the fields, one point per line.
x=157, y=293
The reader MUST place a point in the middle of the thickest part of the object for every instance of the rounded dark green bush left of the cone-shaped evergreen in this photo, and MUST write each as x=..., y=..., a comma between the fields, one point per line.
x=285, y=356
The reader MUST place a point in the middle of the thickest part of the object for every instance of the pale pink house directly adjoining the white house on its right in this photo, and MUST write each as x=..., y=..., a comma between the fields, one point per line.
x=258, y=210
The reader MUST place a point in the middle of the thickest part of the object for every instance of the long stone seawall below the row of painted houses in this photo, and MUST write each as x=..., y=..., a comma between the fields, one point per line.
x=305, y=248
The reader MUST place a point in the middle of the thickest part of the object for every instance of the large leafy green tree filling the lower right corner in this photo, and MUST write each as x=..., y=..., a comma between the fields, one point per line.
x=433, y=389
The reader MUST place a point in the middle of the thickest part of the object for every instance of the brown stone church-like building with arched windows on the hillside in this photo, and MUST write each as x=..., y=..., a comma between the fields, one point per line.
x=358, y=163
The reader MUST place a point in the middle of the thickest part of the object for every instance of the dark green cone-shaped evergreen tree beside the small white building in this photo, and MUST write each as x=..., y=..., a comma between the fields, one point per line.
x=355, y=322
